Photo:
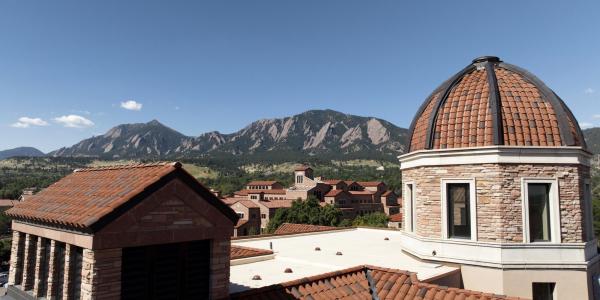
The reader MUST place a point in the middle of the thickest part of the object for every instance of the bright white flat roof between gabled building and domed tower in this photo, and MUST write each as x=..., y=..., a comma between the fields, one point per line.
x=360, y=246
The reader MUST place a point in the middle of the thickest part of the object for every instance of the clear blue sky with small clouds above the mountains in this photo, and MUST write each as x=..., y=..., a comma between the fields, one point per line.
x=67, y=66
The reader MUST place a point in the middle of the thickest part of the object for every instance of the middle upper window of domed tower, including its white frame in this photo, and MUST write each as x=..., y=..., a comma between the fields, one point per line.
x=459, y=209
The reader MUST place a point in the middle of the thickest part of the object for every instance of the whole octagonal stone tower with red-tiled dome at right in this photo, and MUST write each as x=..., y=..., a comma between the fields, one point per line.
x=497, y=179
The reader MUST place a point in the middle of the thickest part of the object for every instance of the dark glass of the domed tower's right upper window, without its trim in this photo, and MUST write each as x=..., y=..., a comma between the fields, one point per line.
x=538, y=195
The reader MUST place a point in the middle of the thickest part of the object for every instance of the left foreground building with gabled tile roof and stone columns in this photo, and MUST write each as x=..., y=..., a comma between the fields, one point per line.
x=128, y=232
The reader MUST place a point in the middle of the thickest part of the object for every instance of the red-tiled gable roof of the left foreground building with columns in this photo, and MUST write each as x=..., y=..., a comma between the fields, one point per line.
x=88, y=199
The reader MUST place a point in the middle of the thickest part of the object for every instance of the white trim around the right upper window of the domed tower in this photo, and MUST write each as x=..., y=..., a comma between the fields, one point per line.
x=555, y=234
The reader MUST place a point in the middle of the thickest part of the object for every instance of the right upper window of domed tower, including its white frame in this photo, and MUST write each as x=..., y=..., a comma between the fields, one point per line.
x=541, y=222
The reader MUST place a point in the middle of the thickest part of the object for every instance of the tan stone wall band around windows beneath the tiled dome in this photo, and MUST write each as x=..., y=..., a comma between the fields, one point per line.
x=498, y=188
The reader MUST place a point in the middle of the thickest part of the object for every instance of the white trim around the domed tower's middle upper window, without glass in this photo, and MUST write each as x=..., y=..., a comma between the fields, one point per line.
x=472, y=206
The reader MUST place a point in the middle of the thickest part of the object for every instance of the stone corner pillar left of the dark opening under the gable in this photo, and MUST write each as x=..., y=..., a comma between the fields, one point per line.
x=101, y=275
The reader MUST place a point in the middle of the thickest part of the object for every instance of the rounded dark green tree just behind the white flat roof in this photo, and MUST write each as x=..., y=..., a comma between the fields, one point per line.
x=307, y=211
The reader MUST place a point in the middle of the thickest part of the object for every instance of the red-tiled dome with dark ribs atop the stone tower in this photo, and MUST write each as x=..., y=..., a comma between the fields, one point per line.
x=490, y=103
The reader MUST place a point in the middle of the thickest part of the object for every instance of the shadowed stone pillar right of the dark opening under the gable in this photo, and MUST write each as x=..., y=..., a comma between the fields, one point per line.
x=219, y=269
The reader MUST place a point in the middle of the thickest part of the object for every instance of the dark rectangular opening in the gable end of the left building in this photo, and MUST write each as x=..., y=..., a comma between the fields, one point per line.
x=168, y=271
